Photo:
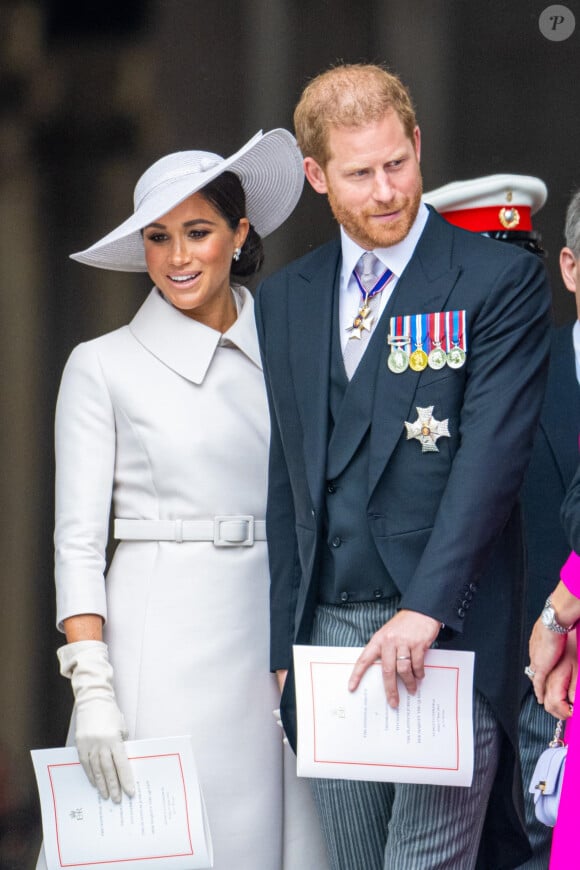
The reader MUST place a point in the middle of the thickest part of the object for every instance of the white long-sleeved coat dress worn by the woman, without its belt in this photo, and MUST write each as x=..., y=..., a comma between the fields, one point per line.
x=170, y=419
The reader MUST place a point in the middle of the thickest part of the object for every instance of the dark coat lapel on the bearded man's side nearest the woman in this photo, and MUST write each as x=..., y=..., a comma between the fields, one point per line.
x=310, y=328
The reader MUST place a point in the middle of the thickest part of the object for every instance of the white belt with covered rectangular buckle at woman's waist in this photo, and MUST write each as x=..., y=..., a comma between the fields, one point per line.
x=225, y=531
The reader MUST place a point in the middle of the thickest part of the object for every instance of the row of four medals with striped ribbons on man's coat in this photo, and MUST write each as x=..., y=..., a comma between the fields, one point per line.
x=422, y=340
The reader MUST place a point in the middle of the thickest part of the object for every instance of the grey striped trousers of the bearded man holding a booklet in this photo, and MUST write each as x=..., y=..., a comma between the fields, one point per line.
x=401, y=826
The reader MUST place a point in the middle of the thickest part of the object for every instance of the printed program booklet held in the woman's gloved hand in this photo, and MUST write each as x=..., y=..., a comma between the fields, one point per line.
x=163, y=827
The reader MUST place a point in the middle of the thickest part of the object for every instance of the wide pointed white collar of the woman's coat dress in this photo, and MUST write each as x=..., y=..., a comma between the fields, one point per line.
x=187, y=346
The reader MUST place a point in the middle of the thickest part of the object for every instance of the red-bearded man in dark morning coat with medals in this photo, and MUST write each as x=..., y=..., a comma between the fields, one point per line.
x=405, y=364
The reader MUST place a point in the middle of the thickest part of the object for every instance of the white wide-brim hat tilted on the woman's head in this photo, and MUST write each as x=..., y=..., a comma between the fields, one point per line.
x=269, y=167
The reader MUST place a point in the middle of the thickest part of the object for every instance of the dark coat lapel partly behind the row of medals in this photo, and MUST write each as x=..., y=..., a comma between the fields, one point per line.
x=424, y=287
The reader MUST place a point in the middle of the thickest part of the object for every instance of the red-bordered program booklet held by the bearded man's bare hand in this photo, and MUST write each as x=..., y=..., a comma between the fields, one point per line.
x=356, y=735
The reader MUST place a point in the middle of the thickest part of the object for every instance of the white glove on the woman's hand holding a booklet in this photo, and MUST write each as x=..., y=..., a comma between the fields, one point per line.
x=100, y=726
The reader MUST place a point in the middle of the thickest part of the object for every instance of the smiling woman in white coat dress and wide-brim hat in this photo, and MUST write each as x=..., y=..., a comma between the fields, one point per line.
x=167, y=419
